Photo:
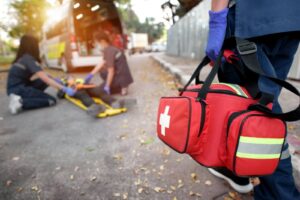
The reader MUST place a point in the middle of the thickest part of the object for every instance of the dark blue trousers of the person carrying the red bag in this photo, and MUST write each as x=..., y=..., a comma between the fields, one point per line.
x=276, y=57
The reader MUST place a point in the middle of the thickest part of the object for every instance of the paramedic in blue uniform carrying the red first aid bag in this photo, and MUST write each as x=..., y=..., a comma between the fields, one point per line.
x=274, y=26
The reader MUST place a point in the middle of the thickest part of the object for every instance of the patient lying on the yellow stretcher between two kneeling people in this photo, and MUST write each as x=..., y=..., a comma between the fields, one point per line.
x=85, y=92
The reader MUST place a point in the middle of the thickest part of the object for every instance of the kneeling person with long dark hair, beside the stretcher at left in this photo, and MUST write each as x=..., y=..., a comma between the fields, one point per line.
x=27, y=81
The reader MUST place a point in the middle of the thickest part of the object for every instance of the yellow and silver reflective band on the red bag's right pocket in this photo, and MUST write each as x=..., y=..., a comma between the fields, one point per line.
x=259, y=148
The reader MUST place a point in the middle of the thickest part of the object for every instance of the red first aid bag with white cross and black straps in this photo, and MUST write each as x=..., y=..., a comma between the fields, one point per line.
x=221, y=125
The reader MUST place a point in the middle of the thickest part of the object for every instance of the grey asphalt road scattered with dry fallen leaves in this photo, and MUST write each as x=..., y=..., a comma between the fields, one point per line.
x=61, y=153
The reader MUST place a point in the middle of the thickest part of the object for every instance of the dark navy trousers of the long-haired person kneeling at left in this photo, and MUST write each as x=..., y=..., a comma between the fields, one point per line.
x=32, y=95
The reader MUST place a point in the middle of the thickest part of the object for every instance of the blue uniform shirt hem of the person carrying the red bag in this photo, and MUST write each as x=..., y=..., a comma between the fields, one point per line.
x=263, y=17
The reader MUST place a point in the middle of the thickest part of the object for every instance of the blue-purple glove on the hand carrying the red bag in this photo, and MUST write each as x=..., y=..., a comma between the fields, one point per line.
x=216, y=34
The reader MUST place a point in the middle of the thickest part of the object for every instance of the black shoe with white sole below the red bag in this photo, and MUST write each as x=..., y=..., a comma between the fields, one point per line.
x=239, y=184
